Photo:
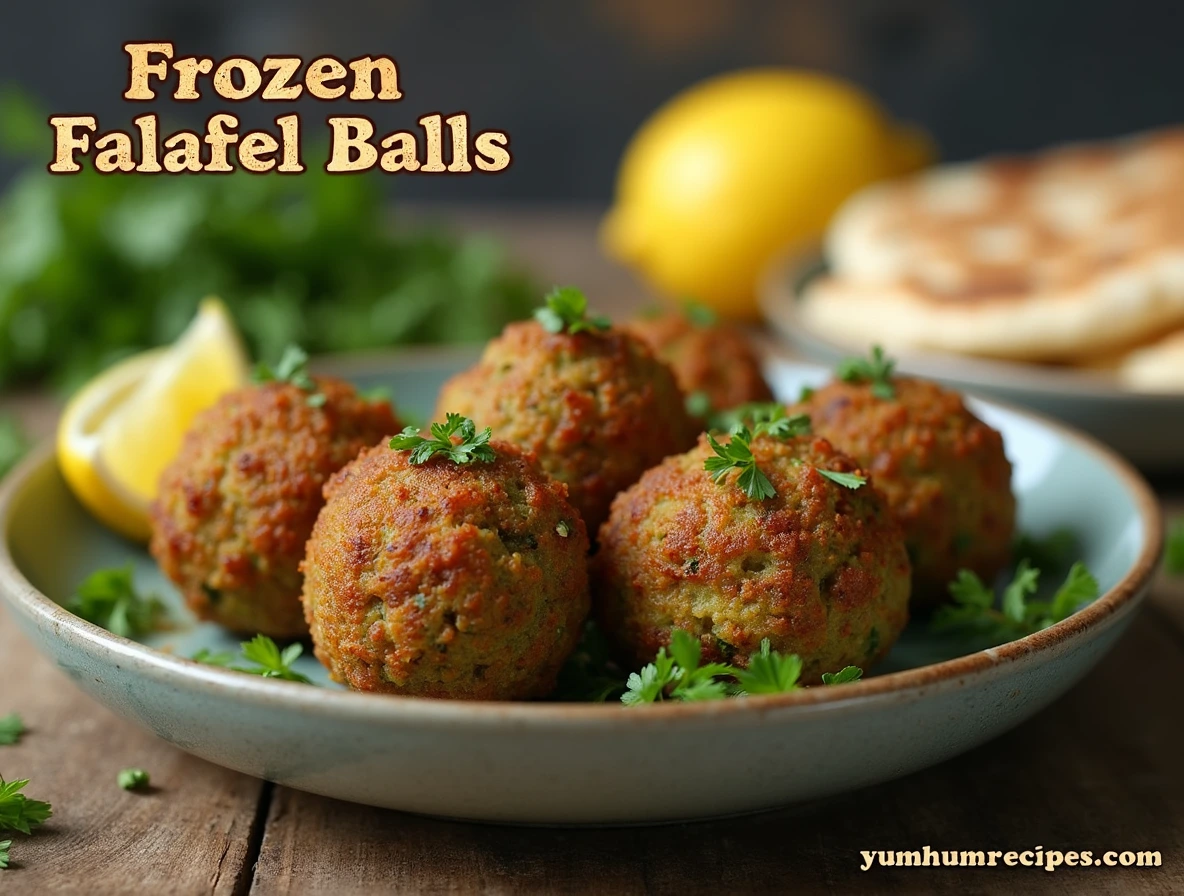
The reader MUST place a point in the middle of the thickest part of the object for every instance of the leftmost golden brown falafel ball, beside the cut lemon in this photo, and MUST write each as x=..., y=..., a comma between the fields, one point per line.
x=237, y=505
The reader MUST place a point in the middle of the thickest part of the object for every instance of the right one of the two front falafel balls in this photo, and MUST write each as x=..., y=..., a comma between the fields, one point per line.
x=820, y=570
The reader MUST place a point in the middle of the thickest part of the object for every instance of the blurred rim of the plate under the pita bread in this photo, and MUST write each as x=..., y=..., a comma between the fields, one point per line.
x=778, y=299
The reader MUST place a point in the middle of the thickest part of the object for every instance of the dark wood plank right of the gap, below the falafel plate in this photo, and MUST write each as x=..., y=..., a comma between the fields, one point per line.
x=1098, y=771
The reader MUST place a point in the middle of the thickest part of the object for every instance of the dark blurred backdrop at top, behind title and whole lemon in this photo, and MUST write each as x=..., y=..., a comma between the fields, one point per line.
x=571, y=81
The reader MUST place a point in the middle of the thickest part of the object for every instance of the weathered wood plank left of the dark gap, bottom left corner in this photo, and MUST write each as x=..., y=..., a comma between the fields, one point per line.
x=190, y=835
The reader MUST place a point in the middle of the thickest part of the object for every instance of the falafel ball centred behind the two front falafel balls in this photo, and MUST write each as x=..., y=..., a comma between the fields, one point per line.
x=597, y=409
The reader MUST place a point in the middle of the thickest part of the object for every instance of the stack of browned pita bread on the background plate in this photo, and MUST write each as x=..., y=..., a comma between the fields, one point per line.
x=1074, y=256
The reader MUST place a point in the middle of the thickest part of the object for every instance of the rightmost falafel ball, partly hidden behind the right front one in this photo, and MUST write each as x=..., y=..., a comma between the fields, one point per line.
x=943, y=470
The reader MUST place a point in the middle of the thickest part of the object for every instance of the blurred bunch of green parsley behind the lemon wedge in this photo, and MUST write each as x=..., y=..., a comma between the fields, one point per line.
x=94, y=268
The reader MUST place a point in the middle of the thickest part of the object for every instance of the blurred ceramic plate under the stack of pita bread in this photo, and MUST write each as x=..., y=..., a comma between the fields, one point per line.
x=1147, y=428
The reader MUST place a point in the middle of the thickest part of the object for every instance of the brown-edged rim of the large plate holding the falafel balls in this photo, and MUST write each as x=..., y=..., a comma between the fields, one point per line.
x=904, y=686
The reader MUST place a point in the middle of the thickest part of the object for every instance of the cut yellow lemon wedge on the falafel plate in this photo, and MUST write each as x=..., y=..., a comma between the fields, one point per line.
x=124, y=428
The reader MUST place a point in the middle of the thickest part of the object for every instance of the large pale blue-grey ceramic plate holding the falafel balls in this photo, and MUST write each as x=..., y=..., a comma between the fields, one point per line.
x=587, y=764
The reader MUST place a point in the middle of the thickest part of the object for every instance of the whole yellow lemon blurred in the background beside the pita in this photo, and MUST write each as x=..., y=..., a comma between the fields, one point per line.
x=733, y=171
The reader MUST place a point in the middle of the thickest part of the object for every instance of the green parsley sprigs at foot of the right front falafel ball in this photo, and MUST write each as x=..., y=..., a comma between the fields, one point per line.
x=678, y=674
